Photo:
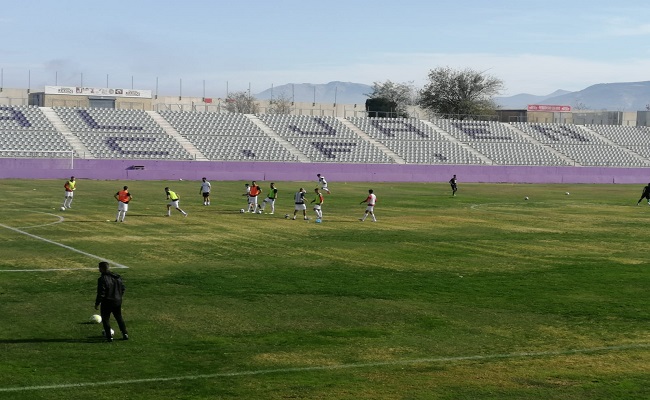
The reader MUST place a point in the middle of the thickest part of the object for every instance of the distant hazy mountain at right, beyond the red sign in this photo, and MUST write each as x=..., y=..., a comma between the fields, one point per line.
x=624, y=96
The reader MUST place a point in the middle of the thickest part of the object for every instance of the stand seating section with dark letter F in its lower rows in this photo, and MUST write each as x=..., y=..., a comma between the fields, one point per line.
x=324, y=139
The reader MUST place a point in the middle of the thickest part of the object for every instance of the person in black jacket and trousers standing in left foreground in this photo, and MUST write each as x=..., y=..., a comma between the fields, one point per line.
x=110, y=290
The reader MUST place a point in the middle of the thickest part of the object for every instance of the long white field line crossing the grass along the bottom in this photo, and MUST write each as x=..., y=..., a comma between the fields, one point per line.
x=331, y=367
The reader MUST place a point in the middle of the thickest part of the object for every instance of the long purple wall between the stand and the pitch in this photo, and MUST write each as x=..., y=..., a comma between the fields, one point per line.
x=24, y=168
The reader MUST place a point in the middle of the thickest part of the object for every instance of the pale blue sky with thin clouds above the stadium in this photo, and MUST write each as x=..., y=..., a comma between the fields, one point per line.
x=211, y=47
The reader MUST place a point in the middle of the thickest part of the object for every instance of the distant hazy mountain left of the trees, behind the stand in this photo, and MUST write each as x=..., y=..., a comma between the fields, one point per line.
x=332, y=92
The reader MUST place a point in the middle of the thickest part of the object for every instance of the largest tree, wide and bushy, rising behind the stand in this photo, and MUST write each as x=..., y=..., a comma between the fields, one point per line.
x=460, y=93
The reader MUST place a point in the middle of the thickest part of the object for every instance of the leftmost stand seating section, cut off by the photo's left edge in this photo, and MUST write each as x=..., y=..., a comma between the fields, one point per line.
x=26, y=132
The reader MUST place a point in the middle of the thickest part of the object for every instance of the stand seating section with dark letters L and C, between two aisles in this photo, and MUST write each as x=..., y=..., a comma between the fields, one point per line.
x=121, y=133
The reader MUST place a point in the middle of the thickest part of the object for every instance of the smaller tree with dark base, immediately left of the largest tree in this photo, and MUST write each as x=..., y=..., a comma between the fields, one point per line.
x=390, y=99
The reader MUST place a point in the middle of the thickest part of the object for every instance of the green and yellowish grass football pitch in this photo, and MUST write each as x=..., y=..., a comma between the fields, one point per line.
x=484, y=295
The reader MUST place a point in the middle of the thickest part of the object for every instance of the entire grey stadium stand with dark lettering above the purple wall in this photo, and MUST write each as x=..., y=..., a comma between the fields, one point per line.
x=30, y=132
